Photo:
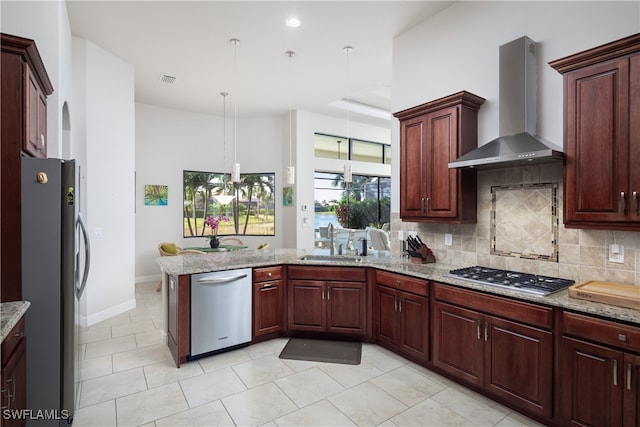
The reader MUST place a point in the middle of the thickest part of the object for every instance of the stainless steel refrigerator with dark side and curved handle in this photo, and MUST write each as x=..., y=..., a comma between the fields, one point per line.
x=55, y=265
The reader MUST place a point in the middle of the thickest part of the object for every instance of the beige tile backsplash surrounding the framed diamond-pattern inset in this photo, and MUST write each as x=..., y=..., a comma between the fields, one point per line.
x=582, y=254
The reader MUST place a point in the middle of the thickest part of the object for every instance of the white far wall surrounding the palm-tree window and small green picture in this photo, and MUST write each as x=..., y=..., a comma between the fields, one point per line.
x=170, y=141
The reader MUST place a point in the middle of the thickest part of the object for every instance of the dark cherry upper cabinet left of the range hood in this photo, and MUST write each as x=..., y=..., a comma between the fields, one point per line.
x=431, y=136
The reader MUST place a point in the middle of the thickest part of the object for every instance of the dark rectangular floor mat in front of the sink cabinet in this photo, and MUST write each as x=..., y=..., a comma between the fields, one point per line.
x=345, y=352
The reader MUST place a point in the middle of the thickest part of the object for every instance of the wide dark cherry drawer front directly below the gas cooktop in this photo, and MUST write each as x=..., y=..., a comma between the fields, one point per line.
x=523, y=312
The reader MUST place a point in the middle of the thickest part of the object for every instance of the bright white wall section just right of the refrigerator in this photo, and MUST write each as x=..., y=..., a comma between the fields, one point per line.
x=104, y=124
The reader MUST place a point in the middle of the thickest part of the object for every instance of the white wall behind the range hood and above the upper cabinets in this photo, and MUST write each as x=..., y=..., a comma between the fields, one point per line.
x=458, y=50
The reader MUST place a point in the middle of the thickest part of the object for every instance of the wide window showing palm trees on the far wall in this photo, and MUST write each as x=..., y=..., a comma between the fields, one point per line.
x=252, y=210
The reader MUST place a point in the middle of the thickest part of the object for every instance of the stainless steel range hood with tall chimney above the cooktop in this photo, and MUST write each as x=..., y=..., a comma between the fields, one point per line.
x=518, y=116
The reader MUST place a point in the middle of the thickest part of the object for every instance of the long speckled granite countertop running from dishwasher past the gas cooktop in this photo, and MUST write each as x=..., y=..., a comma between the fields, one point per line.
x=190, y=264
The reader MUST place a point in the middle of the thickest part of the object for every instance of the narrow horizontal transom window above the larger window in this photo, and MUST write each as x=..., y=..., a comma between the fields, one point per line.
x=335, y=147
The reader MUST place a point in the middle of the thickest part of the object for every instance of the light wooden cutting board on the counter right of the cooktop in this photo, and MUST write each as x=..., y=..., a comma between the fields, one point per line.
x=608, y=293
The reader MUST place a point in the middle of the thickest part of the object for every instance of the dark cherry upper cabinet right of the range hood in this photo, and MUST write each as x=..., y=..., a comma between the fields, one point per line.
x=602, y=136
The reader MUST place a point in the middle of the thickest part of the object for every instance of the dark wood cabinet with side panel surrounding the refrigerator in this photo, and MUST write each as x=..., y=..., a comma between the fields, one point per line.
x=23, y=108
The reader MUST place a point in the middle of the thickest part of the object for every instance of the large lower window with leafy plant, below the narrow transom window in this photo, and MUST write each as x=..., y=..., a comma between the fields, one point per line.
x=366, y=202
